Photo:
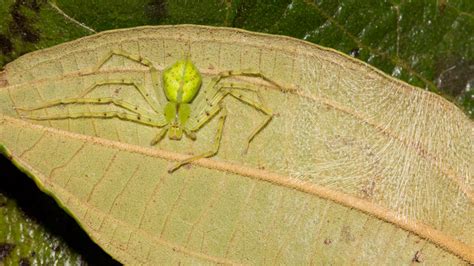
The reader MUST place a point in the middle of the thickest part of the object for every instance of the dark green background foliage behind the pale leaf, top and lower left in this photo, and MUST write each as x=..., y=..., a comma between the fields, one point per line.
x=425, y=43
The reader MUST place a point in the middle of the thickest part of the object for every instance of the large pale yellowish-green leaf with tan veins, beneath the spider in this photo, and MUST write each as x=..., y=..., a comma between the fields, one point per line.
x=355, y=166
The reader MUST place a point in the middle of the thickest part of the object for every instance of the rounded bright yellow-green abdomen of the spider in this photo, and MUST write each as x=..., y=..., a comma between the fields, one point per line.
x=181, y=81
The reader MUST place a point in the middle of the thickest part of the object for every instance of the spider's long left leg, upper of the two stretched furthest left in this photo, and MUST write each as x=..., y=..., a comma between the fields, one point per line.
x=106, y=100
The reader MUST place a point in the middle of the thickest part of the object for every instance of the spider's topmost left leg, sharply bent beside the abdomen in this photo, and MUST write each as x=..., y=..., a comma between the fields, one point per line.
x=155, y=77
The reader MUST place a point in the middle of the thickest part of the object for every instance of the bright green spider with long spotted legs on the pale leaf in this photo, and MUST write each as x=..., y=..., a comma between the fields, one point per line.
x=181, y=83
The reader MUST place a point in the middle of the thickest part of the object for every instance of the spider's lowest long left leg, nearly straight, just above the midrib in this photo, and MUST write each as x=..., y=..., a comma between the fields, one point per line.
x=136, y=118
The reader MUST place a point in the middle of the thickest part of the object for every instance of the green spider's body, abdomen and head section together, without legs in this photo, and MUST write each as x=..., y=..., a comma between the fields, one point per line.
x=181, y=83
